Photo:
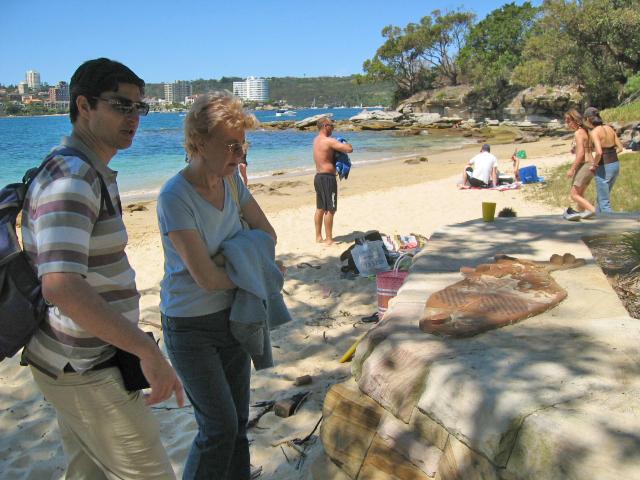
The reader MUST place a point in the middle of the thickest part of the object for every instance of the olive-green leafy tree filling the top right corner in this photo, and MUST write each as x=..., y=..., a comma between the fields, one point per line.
x=592, y=43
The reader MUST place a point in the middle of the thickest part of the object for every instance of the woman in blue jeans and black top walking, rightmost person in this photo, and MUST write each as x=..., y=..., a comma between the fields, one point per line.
x=606, y=166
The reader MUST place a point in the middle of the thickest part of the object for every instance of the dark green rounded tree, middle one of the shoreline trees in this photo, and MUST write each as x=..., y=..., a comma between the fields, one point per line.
x=494, y=48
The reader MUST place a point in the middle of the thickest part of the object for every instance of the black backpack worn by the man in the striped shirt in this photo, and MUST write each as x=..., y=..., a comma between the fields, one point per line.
x=22, y=307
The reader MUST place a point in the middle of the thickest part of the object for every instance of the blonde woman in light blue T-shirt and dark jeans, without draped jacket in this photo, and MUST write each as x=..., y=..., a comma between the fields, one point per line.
x=198, y=210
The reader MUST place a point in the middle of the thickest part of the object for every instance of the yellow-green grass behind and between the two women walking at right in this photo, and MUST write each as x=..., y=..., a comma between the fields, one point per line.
x=625, y=196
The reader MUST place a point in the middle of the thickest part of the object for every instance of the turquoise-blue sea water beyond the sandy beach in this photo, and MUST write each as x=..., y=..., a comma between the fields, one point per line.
x=157, y=151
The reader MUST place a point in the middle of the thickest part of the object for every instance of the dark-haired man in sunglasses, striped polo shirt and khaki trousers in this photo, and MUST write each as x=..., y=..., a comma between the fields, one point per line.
x=74, y=235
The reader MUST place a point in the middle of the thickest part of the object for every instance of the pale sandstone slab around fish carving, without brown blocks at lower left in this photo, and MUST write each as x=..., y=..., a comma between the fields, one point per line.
x=554, y=396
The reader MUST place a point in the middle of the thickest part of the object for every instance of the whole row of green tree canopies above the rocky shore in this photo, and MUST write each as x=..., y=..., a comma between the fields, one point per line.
x=593, y=44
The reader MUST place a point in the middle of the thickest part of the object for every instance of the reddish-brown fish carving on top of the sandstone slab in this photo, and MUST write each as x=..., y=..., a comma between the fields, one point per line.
x=495, y=294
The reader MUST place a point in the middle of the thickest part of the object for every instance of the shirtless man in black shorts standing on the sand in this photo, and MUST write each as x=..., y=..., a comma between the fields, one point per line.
x=324, y=148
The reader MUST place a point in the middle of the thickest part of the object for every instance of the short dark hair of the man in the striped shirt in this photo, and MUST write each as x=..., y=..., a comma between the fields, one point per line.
x=94, y=77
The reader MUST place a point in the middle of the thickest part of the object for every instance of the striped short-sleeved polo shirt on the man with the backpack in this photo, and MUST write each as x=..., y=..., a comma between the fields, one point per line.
x=64, y=230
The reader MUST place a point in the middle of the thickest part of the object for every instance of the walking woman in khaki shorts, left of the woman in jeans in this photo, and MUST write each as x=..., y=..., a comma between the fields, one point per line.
x=580, y=172
